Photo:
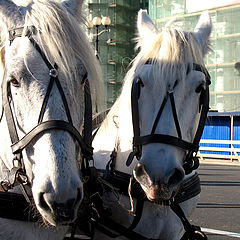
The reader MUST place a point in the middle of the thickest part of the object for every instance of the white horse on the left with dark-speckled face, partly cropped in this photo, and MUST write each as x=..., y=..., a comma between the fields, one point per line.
x=44, y=57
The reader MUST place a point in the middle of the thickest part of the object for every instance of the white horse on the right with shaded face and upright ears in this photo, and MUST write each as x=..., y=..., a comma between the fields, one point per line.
x=164, y=66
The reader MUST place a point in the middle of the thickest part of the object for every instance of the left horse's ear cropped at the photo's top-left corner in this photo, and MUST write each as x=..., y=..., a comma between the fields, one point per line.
x=11, y=15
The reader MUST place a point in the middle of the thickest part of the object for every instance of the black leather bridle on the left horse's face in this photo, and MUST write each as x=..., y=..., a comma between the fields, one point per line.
x=18, y=172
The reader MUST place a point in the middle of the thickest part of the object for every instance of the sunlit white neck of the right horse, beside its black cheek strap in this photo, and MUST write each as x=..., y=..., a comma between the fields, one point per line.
x=115, y=133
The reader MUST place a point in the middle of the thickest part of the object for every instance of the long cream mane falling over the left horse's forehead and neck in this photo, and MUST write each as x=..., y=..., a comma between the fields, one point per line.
x=64, y=42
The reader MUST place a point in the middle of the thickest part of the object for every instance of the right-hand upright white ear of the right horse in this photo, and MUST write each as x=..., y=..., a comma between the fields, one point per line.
x=203, y=30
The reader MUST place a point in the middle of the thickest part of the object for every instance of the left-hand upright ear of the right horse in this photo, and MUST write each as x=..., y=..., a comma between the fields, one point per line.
x=146, y=28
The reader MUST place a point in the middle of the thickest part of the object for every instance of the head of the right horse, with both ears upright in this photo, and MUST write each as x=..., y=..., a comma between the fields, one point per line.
x=168, y=81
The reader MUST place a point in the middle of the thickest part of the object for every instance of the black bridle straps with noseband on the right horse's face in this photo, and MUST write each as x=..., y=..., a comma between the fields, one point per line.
x=191, y=161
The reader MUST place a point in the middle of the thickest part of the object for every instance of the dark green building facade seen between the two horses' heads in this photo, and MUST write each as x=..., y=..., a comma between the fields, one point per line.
x=114, y=43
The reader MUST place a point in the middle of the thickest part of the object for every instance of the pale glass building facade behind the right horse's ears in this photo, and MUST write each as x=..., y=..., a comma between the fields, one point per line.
x=223, y=62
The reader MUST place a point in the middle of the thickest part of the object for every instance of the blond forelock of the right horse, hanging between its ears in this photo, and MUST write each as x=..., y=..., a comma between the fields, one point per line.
x=171, y=52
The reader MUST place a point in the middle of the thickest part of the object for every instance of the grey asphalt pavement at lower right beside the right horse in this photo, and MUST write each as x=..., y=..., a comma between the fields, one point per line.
x=218, y=210
